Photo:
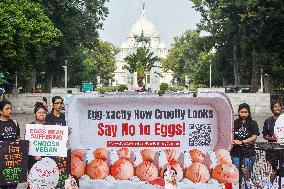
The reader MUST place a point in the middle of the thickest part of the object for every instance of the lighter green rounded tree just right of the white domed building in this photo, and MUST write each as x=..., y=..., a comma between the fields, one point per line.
x=188, y=58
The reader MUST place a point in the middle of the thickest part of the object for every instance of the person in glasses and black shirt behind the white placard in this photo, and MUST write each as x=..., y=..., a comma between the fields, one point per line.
x=55, y=117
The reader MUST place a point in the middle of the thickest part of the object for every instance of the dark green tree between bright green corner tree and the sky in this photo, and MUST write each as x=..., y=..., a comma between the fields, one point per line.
x=79, y=22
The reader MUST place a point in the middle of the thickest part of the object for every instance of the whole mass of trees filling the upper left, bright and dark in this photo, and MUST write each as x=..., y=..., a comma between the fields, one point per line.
x=38, y=37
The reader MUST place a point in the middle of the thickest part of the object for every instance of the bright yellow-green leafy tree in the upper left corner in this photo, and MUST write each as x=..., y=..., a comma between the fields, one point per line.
x=25, y=33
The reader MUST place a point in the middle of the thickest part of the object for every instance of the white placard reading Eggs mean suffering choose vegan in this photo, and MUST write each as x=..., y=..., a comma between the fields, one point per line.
x=47, y=140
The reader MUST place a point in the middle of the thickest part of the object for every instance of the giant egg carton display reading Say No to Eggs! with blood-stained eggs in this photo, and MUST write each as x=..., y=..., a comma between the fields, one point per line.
x=119, y=137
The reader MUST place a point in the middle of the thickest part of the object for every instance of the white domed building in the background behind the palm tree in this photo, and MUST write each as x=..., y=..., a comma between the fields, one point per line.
x=157, y=75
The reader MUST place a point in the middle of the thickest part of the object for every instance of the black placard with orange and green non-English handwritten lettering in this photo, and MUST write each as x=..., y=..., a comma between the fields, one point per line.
x=13, y=161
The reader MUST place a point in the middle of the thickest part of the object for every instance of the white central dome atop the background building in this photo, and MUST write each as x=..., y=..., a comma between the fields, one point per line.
x=143, y=24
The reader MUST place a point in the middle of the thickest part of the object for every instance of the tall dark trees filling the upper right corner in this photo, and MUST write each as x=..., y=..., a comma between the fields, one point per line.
x=247, y=35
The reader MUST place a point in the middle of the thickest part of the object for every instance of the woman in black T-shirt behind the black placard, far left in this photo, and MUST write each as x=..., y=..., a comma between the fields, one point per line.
x=9, y=130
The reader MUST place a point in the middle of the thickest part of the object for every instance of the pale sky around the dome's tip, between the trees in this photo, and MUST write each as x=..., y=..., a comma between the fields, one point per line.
x=171, y=18
